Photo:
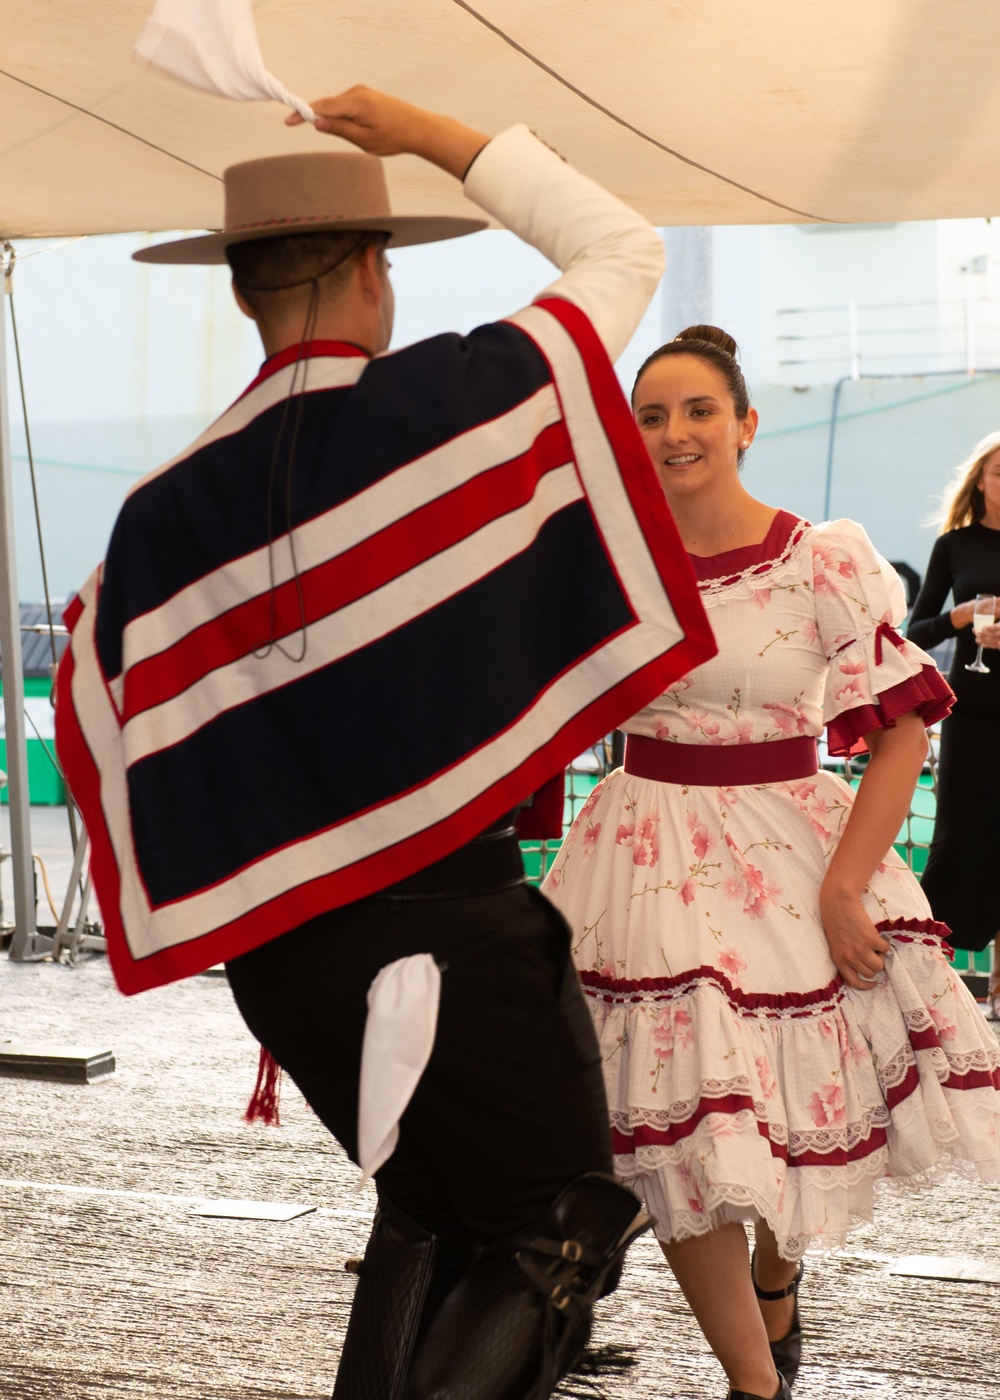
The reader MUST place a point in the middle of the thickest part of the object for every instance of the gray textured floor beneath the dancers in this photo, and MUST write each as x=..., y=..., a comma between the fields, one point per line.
x=110, y=1286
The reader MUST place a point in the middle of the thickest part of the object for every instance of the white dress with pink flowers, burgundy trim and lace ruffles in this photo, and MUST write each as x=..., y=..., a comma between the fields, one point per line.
x=746, y=1079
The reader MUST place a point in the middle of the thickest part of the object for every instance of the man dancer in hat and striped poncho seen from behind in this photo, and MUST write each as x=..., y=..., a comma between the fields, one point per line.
x=348, y=635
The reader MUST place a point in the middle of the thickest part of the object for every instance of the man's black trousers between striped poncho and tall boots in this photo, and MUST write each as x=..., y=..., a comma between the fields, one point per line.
x=512, y=1105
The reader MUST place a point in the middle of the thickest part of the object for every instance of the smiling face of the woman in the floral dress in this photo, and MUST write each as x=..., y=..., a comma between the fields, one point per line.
x=690, y=425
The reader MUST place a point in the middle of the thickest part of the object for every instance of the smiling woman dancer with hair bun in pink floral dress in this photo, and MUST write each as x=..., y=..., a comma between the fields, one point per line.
x=778, y=1017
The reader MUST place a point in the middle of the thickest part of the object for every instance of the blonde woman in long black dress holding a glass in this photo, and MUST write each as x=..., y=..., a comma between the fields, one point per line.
x=960, y=880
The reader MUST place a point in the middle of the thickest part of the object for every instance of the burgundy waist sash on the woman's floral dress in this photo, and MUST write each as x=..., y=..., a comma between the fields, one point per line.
x=721, y=765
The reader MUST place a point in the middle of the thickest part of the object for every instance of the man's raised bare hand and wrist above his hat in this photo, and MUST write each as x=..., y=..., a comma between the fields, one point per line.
x=386, y=125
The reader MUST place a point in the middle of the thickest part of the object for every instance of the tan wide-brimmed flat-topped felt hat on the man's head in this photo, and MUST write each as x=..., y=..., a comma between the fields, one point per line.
x=316, y=192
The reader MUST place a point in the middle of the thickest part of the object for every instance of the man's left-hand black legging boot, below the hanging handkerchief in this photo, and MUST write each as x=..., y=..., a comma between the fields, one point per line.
x=403, y=1280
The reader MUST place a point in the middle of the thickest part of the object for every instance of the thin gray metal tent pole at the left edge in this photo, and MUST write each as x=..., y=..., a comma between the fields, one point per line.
x=26, y=933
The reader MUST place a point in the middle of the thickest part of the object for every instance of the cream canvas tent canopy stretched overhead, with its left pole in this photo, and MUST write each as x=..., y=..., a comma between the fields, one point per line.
x=695, y=111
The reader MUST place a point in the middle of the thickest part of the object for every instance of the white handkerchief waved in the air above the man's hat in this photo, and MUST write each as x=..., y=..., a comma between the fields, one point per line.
x=214, y=45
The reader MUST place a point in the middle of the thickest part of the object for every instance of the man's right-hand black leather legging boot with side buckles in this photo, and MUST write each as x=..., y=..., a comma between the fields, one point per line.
x=520, y=1318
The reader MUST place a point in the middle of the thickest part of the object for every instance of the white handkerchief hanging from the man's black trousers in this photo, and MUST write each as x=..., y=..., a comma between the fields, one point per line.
x=398, y=1041
